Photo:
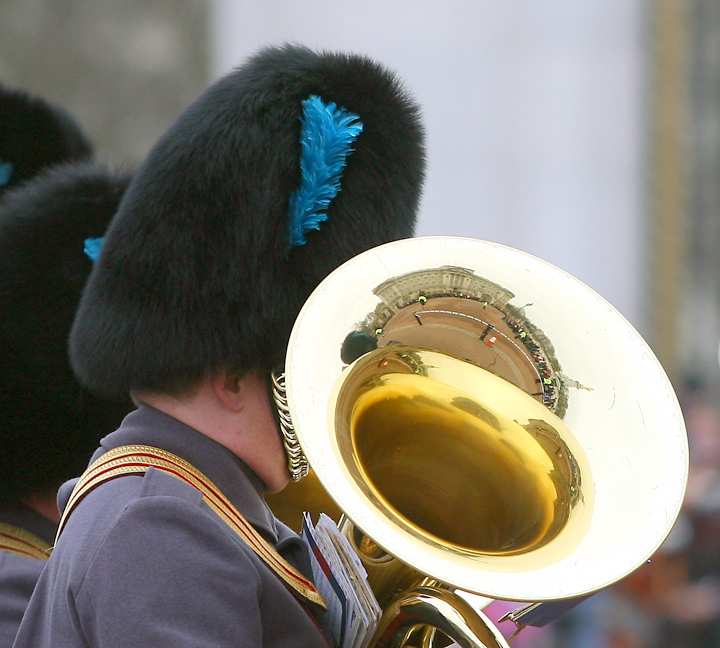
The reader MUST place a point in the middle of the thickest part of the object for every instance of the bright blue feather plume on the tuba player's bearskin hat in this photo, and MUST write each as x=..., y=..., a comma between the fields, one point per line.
x=326, y=140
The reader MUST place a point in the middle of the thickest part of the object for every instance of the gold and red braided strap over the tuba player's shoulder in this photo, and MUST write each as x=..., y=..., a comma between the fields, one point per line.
x=136, y=459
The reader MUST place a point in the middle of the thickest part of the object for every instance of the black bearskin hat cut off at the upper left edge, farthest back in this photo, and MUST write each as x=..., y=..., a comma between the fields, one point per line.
x=34, y=135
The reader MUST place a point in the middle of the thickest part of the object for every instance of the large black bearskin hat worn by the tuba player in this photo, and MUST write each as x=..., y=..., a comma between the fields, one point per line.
x=199, y=271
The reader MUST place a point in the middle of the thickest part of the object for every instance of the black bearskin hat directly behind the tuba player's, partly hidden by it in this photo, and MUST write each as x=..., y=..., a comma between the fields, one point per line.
x=49, y=424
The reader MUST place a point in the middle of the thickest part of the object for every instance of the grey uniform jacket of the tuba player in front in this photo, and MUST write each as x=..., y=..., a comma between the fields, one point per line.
x=143, y=561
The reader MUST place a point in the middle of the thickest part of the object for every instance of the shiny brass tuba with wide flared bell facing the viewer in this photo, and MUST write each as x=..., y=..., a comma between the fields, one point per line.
x=484, y=418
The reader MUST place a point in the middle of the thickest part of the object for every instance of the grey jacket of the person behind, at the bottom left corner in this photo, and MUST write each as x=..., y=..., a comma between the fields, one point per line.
x=18, y=574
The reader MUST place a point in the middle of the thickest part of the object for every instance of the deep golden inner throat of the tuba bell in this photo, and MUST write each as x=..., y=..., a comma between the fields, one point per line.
x=437, y=459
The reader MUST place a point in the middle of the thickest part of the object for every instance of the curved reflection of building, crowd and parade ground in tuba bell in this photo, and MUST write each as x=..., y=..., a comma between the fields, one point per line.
x=452, y=310
